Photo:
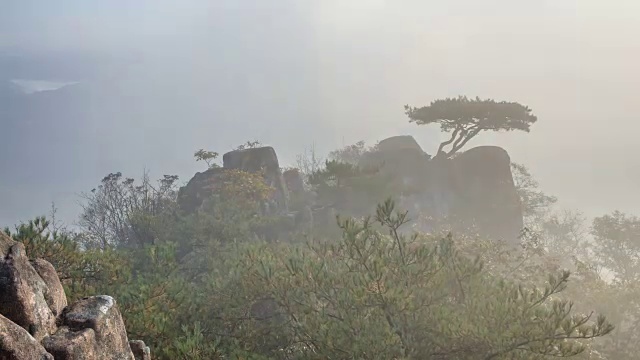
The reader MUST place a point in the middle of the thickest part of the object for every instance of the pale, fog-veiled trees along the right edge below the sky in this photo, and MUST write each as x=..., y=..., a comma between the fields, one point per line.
x=604, y=260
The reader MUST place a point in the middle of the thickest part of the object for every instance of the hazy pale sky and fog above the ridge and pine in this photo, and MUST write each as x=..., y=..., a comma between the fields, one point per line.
x=188, y=74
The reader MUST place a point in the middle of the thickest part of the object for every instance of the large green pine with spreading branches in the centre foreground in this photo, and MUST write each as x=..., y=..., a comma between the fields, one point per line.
x=372, y=295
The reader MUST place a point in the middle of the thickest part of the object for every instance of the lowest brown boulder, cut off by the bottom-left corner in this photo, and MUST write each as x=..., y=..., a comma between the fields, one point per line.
x=17, y=344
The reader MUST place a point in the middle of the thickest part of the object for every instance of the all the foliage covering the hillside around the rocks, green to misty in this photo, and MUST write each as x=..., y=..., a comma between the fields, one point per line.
x=203, y=286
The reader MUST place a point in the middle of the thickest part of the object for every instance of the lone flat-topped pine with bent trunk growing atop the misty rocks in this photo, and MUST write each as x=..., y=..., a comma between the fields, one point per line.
x=465, y=118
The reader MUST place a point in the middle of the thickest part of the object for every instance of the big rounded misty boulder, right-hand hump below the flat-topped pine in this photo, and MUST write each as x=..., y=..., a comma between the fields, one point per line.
x=474, y=193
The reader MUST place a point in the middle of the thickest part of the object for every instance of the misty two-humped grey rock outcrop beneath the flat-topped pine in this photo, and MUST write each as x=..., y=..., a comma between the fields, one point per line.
x=472, y=191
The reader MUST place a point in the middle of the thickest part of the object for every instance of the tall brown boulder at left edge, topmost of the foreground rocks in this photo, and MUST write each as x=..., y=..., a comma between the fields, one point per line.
x=23, y=294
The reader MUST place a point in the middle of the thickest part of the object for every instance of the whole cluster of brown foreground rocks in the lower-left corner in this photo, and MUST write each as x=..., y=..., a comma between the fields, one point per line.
x=36, y=322
